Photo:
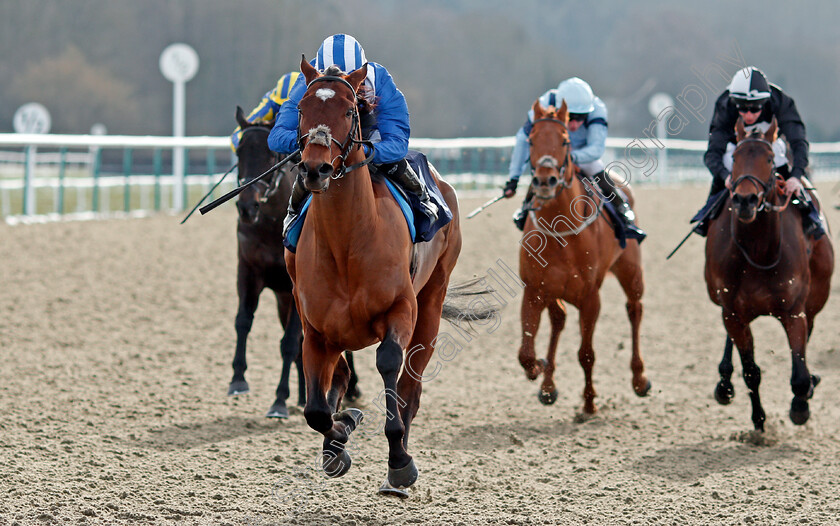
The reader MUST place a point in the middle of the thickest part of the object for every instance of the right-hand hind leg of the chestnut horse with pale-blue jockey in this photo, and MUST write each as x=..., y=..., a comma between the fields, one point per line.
x=628, y=270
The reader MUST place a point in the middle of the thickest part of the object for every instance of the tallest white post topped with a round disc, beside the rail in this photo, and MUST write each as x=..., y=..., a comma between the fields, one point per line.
x=178, y=63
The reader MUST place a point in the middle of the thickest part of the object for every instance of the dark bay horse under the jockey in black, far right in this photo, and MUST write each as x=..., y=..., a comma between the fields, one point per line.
x=759, y=262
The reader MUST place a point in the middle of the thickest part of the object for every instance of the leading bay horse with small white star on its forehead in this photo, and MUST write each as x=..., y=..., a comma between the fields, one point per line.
x=354, y=281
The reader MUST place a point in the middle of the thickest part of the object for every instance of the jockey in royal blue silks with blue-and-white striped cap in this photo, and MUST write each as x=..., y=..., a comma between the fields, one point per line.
x=386, y=125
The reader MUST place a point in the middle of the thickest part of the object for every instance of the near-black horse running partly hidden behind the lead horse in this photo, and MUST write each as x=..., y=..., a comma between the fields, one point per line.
x=261, y=263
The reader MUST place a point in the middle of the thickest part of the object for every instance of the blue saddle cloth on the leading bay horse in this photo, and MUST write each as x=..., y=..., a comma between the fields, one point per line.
x=418, y=223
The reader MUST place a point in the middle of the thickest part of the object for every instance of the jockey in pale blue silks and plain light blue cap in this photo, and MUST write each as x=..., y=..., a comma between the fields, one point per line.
x=588, y=135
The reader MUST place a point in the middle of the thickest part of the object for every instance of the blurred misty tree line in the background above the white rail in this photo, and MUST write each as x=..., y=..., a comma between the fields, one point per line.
x=467, y=67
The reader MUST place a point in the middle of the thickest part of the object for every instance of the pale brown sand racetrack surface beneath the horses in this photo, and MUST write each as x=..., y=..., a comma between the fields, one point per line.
x=116, y=339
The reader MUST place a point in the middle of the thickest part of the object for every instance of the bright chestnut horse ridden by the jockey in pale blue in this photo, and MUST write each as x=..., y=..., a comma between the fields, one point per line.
x=577, y=250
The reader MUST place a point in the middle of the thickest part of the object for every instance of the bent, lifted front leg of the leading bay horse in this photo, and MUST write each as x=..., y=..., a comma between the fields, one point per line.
x=319, y=365
